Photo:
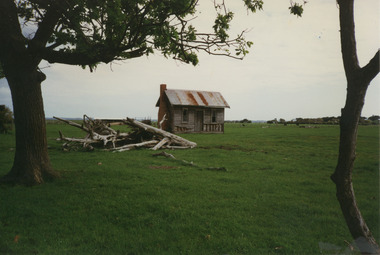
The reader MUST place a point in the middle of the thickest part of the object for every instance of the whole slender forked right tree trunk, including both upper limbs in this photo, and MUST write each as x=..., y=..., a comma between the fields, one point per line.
x=358, y=80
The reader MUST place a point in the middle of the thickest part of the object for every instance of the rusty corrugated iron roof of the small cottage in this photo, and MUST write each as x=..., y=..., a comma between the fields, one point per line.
x=196, y=98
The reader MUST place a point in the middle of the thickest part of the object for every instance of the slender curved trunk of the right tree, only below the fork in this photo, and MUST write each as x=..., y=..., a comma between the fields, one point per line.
x=342, y=176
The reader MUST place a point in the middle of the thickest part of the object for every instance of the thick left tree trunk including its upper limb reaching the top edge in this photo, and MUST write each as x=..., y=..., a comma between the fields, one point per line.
x=20, y=65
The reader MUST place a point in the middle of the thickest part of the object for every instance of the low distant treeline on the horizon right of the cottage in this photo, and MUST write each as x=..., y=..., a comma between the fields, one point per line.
x=373, y=120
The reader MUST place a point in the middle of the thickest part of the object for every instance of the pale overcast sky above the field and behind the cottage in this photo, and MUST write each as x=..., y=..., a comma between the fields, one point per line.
x=294, y=69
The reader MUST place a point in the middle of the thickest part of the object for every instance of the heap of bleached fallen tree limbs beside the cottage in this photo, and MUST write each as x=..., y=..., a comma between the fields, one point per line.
x=99, y=134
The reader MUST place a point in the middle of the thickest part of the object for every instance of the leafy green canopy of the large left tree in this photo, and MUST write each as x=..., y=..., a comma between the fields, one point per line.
x=87, y=32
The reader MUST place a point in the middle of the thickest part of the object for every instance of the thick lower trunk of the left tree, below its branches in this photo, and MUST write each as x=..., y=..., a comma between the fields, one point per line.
x=31, y=164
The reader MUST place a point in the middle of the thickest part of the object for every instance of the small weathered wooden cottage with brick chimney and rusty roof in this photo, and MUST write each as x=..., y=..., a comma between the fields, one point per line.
x=190, y=111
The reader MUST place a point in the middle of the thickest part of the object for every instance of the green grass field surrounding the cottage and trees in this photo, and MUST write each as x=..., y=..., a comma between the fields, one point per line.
x=275, y=198
